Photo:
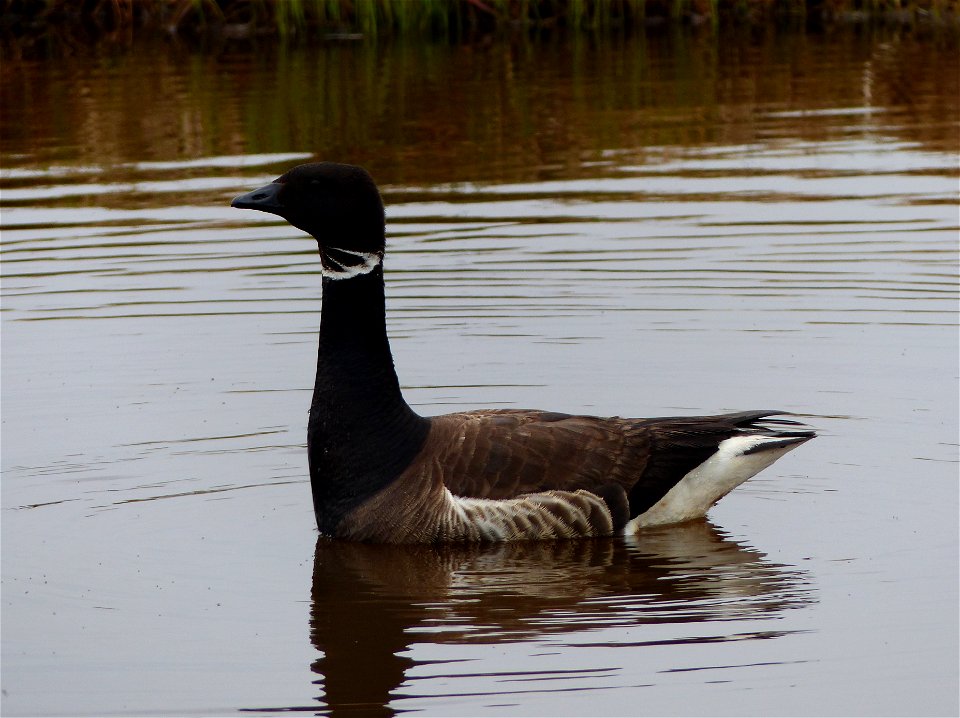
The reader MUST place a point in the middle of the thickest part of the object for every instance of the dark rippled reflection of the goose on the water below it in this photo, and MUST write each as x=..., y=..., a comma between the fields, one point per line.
x=372, y=603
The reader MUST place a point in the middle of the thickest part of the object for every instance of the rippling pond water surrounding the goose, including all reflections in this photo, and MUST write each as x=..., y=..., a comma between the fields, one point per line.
x=635, y=227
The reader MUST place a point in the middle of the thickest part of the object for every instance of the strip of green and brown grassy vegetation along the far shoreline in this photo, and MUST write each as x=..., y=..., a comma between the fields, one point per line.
x=123, y=21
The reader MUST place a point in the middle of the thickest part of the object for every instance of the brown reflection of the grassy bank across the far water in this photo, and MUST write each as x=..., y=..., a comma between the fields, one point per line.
x=504, y=111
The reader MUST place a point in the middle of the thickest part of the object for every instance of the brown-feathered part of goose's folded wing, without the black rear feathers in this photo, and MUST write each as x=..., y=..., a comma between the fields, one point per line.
x=501, y=454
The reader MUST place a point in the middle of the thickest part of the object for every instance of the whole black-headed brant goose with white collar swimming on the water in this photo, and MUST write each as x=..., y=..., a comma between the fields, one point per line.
x=382, y=473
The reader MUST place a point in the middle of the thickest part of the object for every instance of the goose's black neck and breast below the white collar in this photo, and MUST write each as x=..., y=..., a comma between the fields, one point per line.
x=361, y=434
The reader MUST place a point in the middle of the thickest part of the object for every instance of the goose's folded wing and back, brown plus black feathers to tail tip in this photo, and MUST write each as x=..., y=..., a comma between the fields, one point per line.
x=630, y=463
